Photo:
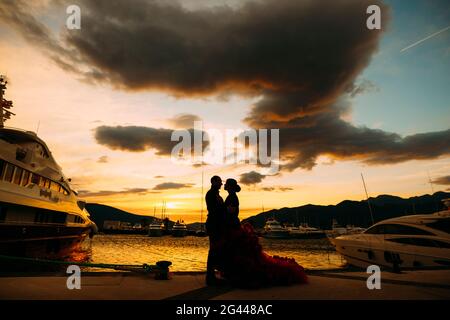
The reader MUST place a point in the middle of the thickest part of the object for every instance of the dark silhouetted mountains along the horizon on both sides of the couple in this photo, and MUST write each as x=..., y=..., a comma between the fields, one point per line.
x=346, y=212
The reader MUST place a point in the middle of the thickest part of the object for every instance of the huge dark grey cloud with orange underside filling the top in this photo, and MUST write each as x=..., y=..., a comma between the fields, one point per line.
x=272, y=47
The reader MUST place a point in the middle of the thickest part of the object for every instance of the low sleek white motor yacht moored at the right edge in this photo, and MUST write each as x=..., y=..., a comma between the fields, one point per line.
x=414, y=241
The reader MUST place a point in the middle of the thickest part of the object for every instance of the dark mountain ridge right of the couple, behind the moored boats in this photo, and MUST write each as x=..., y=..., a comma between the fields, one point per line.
x=353, y=212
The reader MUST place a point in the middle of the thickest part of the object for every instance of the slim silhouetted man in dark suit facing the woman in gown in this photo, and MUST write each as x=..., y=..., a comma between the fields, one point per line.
x=214, y=223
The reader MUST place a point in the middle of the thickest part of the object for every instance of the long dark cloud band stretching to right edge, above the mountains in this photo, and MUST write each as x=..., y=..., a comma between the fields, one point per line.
x=307, y=138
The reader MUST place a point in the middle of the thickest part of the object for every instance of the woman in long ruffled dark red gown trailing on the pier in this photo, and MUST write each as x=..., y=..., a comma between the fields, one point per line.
x=244, y=263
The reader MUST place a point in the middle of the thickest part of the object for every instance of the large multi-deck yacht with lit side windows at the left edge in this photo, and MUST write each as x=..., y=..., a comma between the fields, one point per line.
x=40, y=215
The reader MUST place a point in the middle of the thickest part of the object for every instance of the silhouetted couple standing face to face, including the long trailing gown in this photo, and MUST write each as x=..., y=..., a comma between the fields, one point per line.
x=235, y=251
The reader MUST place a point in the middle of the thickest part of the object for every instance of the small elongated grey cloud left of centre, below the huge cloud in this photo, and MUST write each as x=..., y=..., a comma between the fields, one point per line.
x=138, y=139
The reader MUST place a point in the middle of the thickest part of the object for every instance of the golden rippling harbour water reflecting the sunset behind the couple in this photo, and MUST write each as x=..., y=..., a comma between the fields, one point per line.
x=190, y=253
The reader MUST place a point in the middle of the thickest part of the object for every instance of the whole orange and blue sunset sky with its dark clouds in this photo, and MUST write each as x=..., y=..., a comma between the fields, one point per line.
x=346, y=99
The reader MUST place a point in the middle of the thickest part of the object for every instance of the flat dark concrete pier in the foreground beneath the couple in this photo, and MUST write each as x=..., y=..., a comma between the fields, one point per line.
x=322, y=285
